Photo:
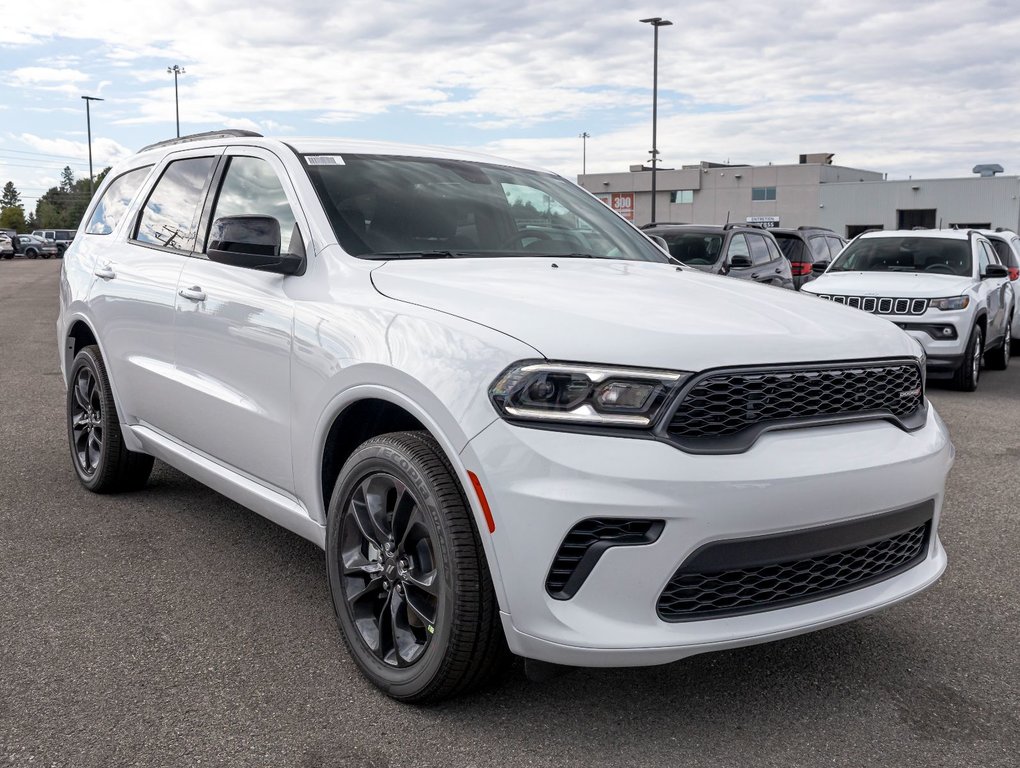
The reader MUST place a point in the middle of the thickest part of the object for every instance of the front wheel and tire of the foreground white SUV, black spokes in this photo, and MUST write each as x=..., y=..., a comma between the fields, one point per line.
x=409, y=578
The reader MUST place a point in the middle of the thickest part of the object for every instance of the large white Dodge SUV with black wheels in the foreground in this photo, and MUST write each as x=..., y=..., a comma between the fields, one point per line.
x=512, y=421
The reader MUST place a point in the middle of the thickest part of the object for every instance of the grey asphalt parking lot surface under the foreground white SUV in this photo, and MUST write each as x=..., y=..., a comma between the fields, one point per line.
x=173, y=628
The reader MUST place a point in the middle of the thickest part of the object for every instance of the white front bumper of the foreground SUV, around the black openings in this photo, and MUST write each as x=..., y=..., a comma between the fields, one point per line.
x=541, y=483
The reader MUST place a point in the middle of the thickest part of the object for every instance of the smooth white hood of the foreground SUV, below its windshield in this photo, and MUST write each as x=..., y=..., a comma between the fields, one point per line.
x=642, y=315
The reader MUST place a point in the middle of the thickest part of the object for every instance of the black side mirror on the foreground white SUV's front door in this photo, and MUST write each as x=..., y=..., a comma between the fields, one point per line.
x=252, y=243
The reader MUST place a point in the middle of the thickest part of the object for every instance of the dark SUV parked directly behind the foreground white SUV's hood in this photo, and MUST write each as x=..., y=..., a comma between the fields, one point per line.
x=745, y=252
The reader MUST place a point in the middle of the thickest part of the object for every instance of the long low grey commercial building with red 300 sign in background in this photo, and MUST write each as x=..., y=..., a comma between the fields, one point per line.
x=812, y=192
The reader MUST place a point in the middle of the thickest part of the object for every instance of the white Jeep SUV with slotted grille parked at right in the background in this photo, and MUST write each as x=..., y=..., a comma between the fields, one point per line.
x=946, y=288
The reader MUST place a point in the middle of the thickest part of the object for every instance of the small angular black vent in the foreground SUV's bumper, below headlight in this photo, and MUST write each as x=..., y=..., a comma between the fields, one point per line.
x=586, y=543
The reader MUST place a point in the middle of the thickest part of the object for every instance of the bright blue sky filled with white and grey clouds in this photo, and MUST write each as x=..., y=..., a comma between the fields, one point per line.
x=914, y=89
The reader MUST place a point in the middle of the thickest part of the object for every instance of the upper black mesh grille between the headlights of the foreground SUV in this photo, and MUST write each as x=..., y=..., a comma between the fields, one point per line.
x=726, y=404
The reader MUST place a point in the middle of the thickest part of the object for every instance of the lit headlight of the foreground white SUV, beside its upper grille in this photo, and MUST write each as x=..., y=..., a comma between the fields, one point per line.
x=578, y=394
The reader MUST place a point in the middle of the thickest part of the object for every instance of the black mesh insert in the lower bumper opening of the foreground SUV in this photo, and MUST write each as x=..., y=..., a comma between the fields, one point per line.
x=729, y=593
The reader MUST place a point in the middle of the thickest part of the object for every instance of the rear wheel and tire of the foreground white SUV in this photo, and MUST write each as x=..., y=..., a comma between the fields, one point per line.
x=101, y=462
